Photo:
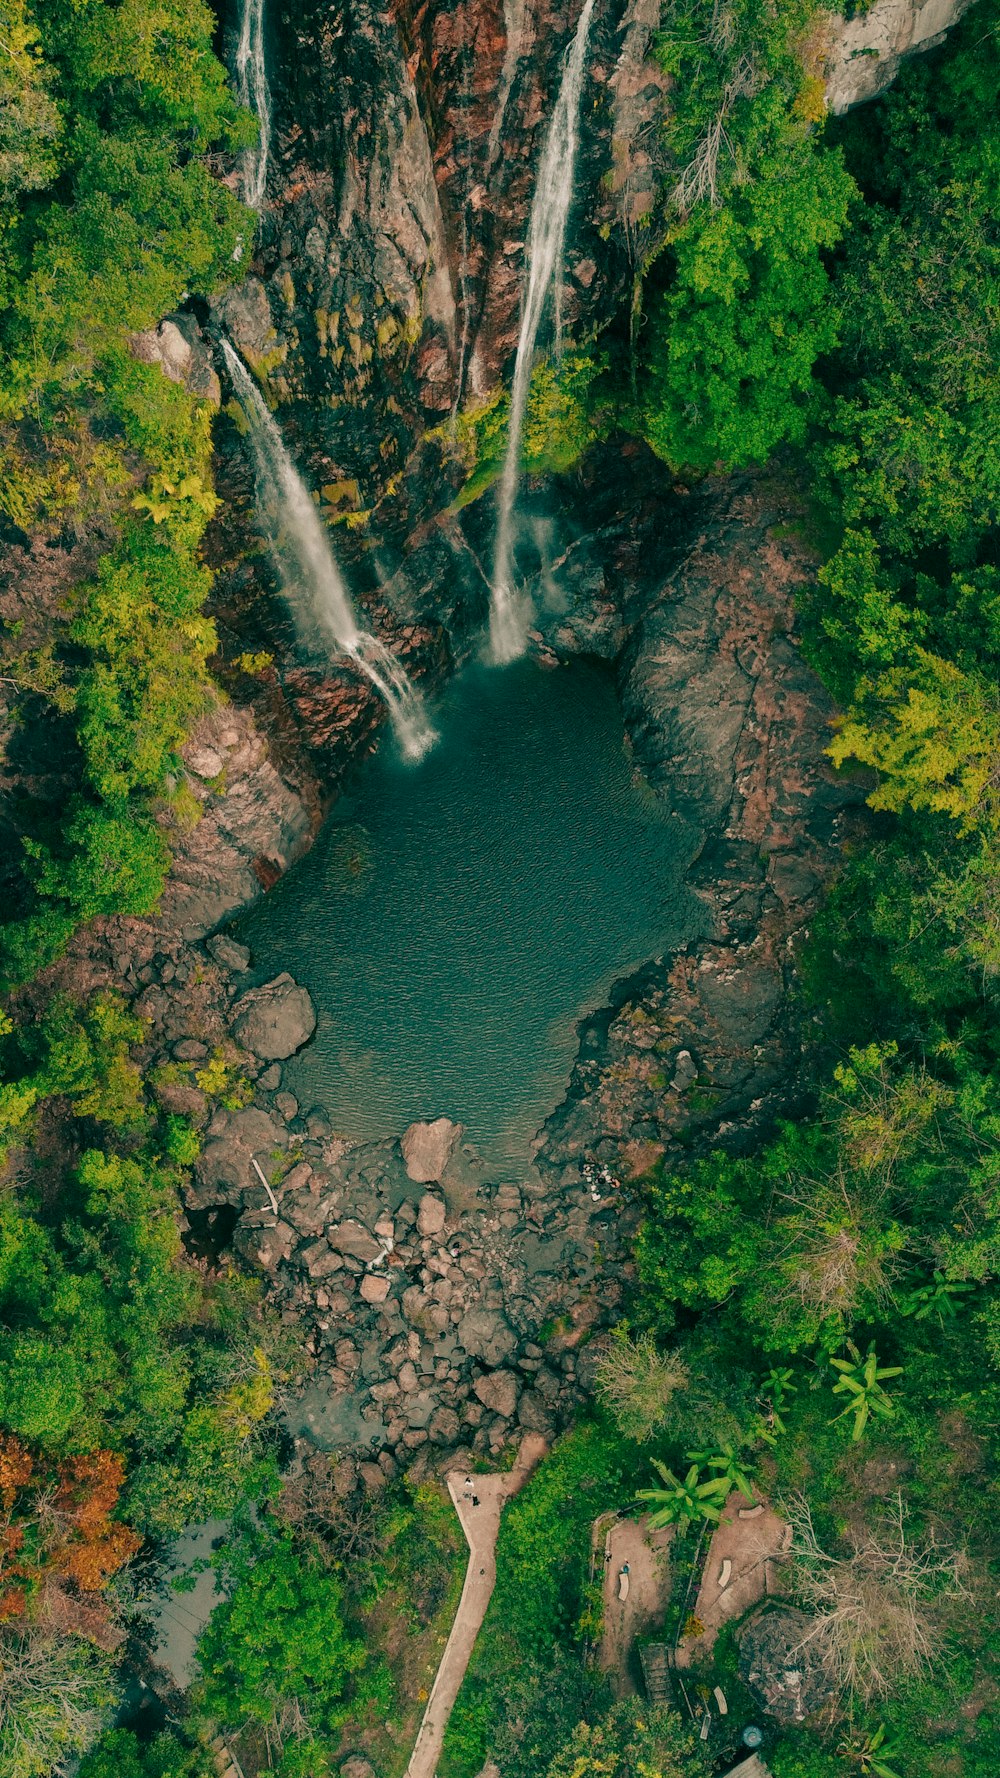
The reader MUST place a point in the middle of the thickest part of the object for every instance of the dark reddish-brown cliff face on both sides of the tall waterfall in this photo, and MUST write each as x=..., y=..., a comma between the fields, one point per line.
x=385, y=289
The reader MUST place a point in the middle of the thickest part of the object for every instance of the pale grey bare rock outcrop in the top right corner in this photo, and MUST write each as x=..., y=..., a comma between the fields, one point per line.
x=867, y=45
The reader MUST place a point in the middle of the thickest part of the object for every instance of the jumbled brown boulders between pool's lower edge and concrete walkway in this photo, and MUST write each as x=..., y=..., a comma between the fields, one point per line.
x=426, y=1311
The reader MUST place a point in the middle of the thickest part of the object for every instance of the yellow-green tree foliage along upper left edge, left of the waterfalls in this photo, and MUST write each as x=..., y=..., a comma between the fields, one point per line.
x=109, y=216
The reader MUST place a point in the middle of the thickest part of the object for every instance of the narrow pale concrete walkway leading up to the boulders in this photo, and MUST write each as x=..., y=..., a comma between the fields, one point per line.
x=481, y=1526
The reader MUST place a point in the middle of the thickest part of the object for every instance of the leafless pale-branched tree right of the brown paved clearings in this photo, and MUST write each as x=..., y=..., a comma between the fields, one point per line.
x=878, y=1610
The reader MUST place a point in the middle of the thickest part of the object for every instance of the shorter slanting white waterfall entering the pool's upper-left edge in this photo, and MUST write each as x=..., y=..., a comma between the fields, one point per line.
x=309, y=568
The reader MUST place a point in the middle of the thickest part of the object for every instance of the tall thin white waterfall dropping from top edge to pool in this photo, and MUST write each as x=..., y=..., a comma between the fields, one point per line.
x=544, y=253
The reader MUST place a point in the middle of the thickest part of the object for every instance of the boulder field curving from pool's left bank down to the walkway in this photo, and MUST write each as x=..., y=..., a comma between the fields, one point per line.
x=440, y=1308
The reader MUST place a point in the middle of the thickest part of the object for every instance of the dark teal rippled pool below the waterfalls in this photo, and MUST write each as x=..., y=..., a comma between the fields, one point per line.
x=458, y=918
